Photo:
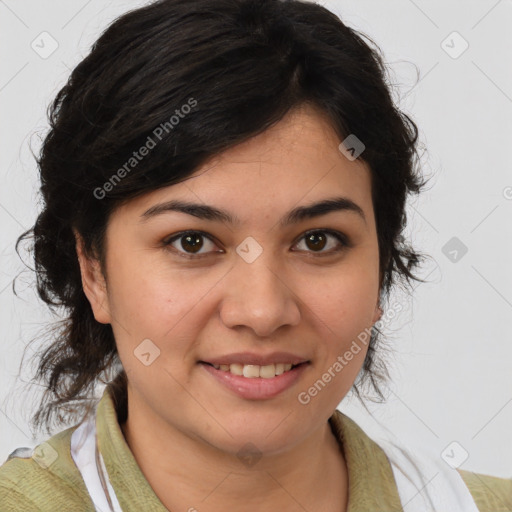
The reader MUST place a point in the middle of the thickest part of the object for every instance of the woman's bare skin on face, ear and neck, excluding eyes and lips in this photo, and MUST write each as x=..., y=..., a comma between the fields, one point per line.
x=290, y=298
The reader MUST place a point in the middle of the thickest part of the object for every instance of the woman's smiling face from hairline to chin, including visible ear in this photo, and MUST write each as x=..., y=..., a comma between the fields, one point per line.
x=182, y=290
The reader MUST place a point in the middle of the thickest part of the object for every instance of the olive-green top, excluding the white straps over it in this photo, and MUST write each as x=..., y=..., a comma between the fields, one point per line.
x=49, y=480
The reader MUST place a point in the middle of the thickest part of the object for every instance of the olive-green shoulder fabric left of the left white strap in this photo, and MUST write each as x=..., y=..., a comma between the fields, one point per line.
x=43, y=479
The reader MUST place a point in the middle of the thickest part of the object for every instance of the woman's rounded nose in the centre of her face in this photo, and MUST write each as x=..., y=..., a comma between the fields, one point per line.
x=259, y=297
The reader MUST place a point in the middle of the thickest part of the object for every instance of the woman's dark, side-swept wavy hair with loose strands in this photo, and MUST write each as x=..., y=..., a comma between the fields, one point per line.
x=245, y=64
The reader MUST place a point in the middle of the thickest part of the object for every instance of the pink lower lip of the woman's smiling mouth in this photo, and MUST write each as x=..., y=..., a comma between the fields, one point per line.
x=256, y=388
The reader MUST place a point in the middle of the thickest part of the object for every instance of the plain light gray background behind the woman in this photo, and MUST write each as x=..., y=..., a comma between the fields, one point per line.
x=451, y=377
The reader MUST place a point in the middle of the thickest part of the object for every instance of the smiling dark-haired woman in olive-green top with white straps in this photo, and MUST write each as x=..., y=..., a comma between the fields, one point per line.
x=224, y=189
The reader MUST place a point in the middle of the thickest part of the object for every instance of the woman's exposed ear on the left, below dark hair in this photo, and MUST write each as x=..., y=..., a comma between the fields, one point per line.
x=93, y=283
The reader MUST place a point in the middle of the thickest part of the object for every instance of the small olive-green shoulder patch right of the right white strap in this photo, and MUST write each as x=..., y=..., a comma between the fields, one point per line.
x=491, y=493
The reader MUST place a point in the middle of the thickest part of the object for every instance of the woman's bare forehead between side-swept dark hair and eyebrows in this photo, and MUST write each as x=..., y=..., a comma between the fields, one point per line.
x=297, y=160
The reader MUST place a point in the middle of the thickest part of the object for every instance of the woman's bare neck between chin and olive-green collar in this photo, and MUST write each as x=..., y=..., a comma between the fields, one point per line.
x=185, y=471
